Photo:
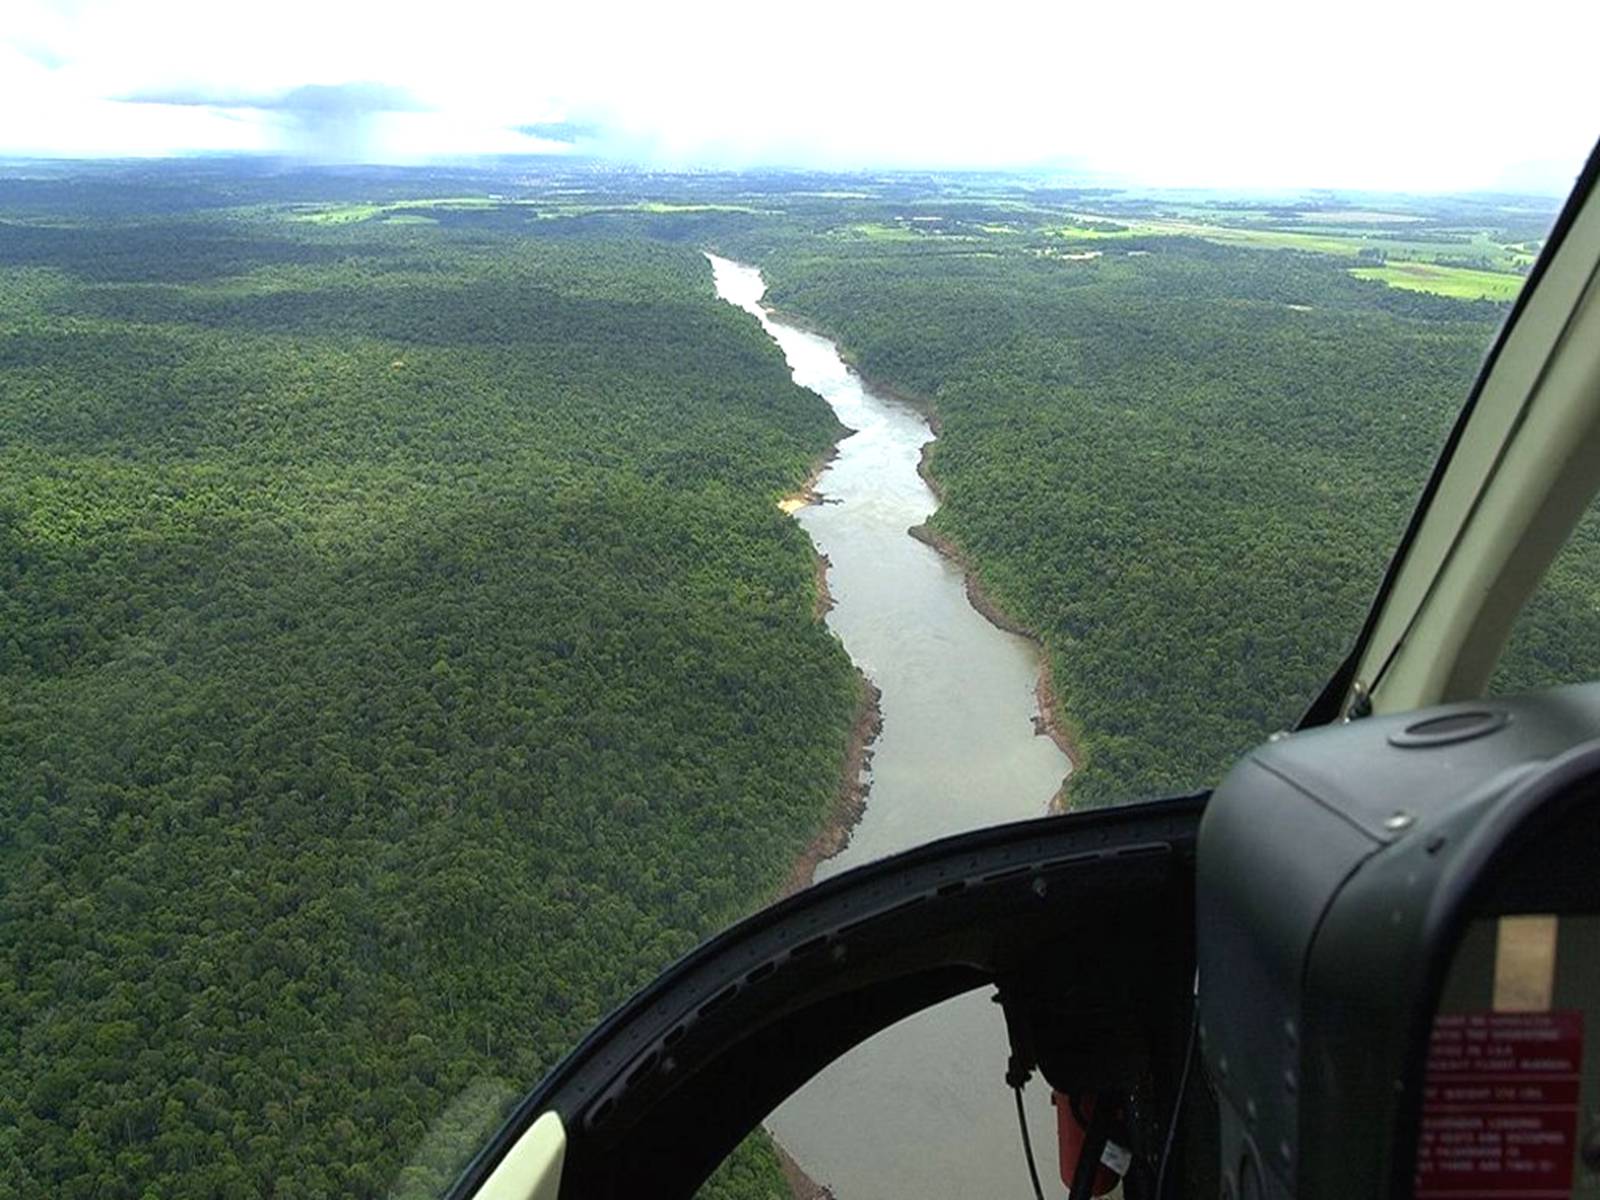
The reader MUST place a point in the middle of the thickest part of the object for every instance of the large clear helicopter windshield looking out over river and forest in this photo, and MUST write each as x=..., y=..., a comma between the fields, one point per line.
x=490, y=497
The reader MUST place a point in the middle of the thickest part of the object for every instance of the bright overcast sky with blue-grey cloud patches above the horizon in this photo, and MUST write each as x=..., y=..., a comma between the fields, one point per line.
x=1290, y=94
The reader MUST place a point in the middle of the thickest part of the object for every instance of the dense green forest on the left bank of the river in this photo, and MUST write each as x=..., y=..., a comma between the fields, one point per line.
x=401, y=660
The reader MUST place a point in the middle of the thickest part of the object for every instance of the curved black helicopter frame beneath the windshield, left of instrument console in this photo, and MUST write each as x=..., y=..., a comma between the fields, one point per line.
x=662, y=1092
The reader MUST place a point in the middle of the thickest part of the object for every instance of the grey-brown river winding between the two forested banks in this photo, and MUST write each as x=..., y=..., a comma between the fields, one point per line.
x=922, y=1111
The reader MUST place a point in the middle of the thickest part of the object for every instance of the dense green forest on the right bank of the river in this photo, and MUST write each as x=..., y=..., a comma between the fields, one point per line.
x=1185, y=463
